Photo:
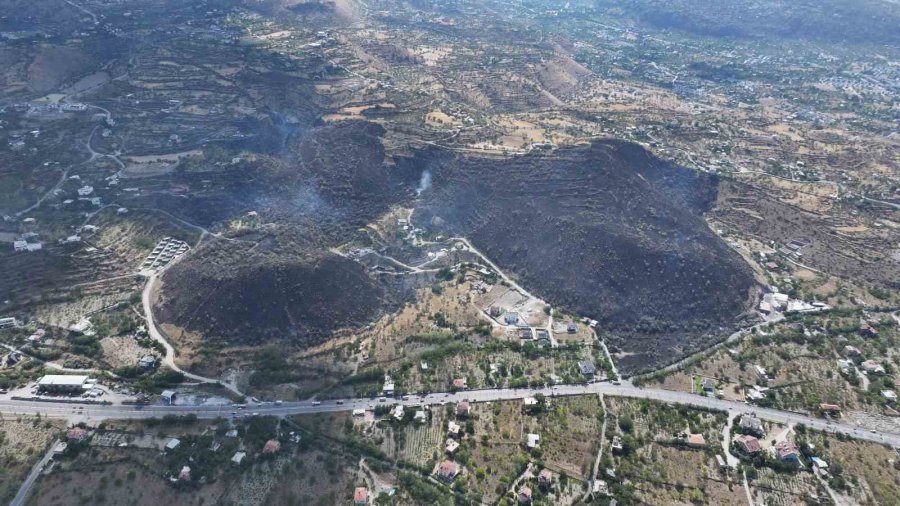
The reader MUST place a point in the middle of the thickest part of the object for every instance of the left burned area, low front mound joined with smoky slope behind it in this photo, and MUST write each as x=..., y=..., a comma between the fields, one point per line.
x=281, y=282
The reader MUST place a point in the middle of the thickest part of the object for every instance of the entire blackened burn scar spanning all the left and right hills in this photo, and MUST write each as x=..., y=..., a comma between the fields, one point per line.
x=606, y=231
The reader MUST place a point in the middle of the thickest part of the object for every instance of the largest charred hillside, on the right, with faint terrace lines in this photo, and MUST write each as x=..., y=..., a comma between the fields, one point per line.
x=606, y=231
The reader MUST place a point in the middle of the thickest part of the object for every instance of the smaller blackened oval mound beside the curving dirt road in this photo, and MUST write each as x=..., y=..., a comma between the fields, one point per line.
x=249, y=293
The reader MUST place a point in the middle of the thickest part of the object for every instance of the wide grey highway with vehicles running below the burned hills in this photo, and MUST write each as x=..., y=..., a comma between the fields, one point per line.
x=117, y=411
